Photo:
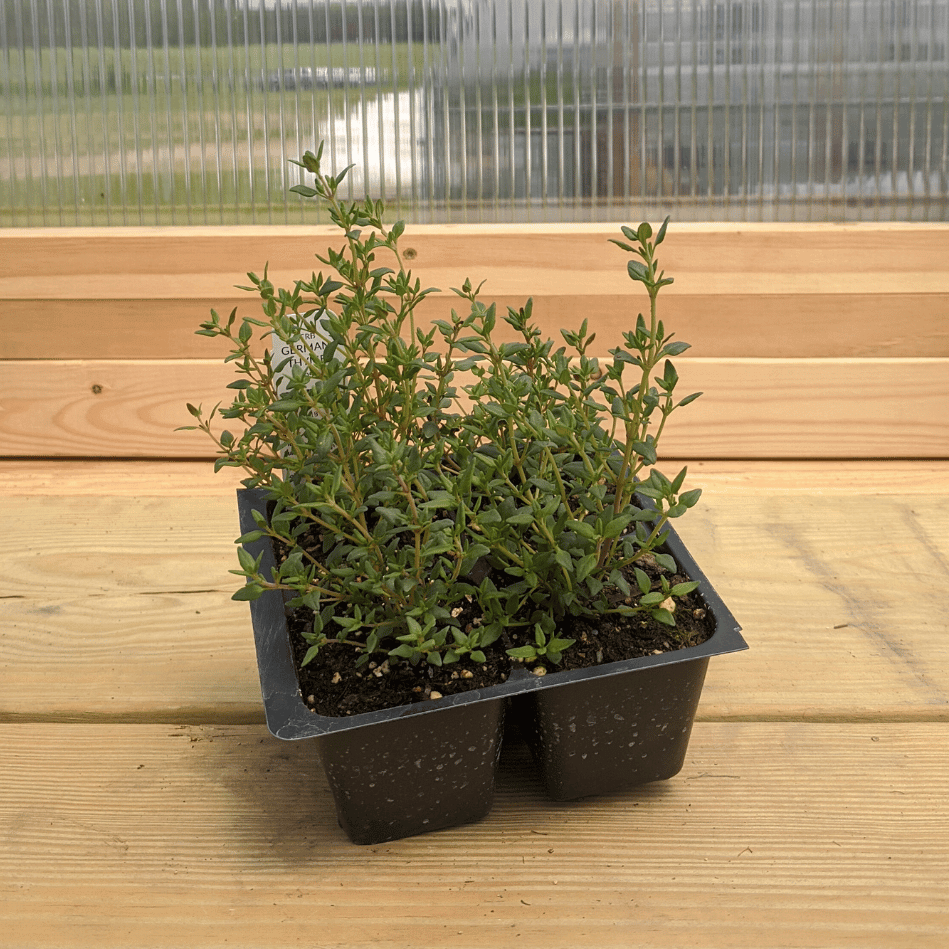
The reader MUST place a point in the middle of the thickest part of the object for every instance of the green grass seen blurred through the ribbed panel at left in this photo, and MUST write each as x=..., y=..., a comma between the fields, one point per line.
x=57, y=127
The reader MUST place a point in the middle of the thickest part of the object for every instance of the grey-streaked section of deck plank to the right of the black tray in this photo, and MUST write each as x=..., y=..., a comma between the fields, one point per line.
x=840, y=601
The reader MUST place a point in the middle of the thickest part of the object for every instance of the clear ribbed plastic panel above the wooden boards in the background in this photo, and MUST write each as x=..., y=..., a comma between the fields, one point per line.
x=190, y=111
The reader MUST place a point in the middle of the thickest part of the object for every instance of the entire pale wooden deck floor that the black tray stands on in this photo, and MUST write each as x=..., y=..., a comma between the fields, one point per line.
x=143, y=803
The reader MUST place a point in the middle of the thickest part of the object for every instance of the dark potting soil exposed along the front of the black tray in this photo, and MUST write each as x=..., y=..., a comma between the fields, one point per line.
x=331, y=686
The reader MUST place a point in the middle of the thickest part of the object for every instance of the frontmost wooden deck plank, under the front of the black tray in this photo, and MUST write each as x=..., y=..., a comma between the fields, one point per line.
x=774, y=835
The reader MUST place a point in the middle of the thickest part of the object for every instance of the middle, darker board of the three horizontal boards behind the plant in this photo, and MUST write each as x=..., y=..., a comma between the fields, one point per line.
x=853, y=324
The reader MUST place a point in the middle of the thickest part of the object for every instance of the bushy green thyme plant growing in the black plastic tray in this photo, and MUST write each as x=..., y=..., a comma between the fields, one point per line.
x=437, y=491
